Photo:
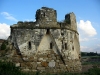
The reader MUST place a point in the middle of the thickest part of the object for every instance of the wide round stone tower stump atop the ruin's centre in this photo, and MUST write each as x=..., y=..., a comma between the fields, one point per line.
x=46, y=17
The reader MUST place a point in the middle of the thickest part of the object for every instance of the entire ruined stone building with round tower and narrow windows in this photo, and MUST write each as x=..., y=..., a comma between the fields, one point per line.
x=46, y=45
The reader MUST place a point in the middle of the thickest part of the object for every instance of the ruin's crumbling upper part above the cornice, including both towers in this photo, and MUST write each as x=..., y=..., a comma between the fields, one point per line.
x=47, y=18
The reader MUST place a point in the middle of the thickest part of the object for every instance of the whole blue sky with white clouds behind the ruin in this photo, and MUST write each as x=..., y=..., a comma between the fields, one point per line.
x=87, y=15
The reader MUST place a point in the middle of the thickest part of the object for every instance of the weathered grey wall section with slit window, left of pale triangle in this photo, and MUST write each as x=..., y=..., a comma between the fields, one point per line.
x=22, y=39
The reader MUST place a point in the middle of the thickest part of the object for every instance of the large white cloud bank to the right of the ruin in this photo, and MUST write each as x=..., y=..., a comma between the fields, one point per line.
x=87, y=37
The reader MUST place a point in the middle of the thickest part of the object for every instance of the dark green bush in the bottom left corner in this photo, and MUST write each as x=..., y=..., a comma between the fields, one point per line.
x=8, y=68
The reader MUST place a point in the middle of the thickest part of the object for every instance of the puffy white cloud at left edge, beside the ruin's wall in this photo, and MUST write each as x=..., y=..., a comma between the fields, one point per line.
x=4, y=31
